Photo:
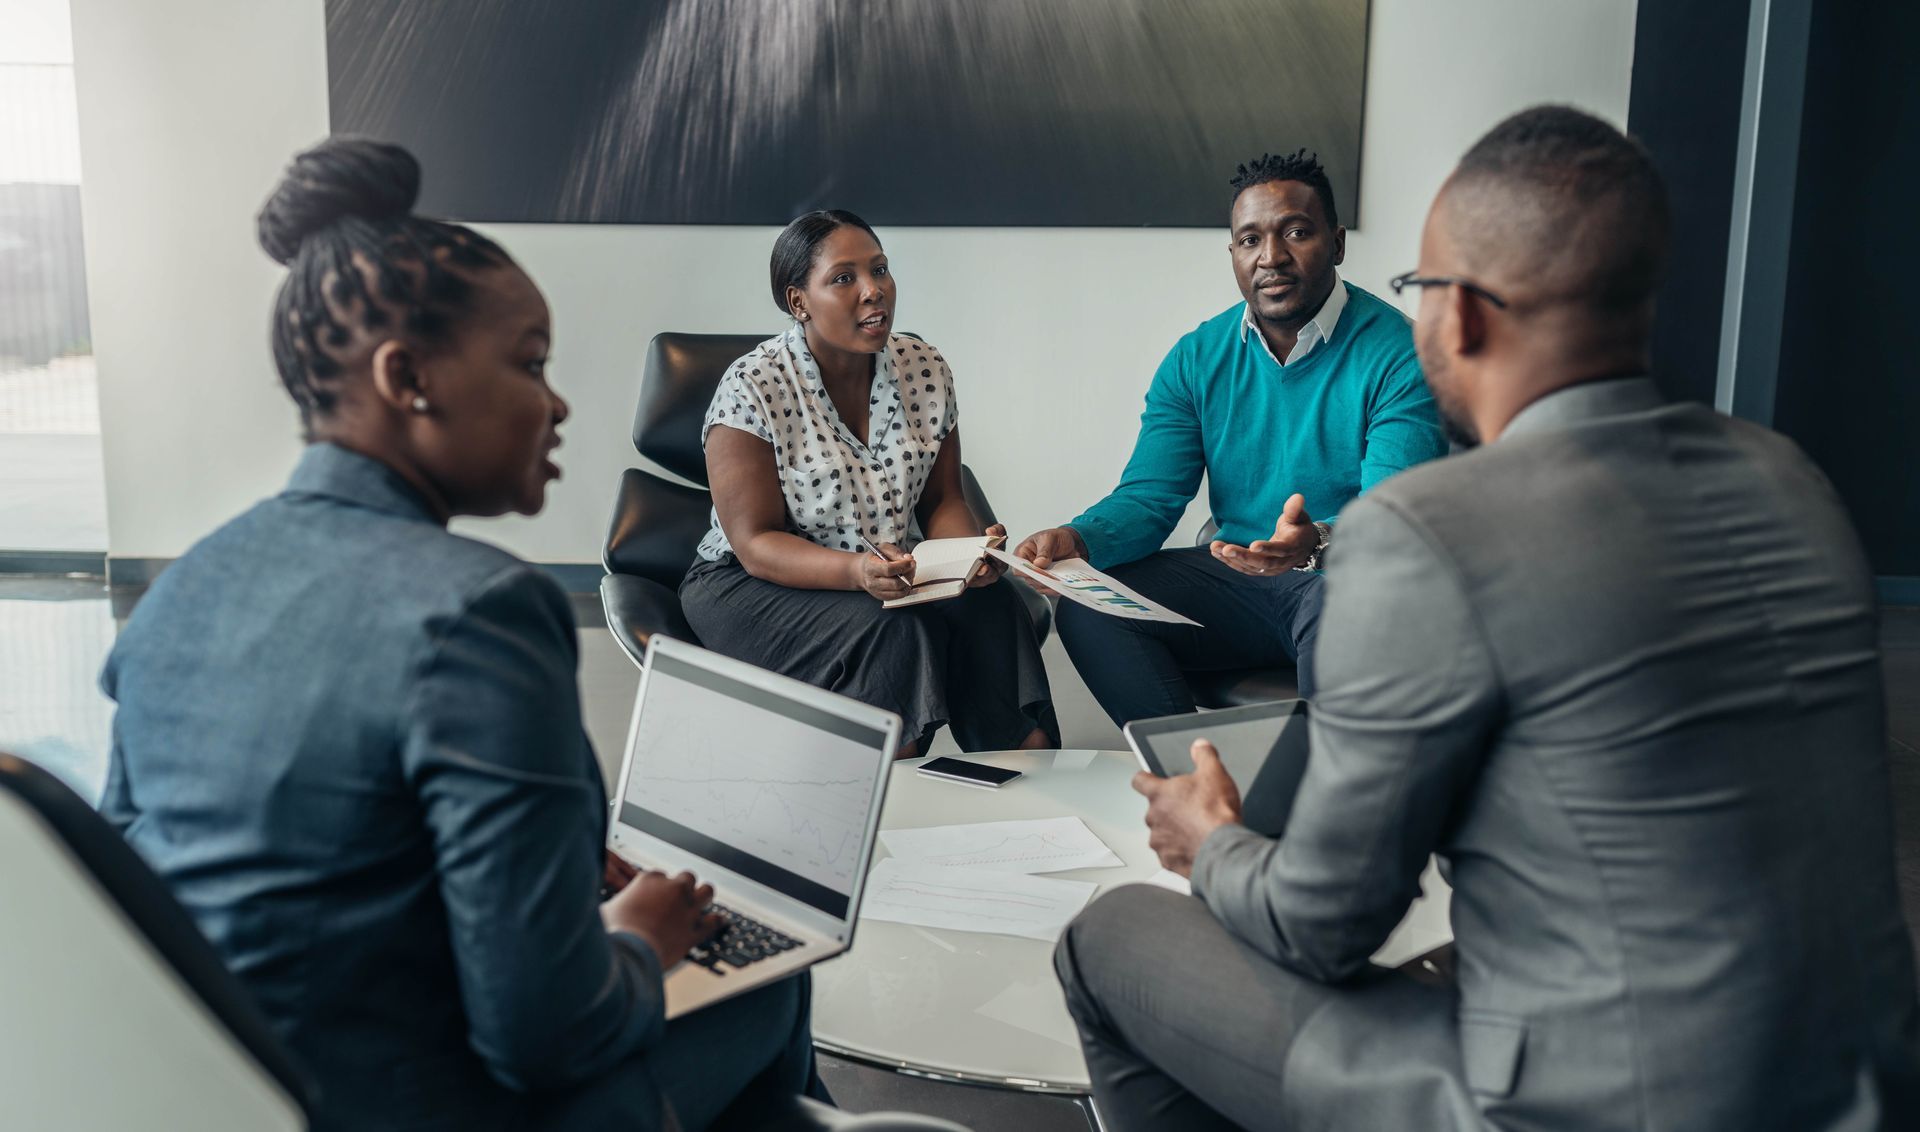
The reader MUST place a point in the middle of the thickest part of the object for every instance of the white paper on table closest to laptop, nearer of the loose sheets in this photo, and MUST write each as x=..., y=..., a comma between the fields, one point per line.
x=972, y=901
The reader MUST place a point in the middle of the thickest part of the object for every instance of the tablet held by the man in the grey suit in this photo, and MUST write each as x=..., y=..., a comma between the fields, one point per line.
x=1264, y=749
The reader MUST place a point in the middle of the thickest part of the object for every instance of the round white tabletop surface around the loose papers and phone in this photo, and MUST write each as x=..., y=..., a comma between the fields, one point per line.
x=971, y=1006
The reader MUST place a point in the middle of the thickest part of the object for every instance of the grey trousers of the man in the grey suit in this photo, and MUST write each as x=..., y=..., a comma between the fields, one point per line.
x=1189, y=1029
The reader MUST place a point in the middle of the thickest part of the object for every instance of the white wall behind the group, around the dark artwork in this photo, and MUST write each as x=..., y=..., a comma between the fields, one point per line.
x=191, y=108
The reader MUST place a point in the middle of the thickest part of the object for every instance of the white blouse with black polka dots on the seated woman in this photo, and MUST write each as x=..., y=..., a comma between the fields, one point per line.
x=840, y=486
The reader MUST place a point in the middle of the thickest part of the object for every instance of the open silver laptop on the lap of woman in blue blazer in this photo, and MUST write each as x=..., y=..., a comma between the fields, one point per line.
x=763, y=788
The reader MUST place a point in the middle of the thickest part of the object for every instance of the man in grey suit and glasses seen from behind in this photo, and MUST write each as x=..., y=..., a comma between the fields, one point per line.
x=1618, y=669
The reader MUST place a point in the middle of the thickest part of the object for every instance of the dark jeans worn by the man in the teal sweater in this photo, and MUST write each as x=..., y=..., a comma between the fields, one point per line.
x=1138, y=669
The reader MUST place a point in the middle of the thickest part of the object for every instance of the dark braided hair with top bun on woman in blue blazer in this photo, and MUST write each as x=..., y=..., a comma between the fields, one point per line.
x=358, y=258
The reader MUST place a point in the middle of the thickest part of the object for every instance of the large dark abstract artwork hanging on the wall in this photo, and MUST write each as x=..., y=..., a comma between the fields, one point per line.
x=909, y=112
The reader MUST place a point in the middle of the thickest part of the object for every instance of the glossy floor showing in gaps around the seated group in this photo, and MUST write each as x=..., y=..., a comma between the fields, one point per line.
x=57, y=632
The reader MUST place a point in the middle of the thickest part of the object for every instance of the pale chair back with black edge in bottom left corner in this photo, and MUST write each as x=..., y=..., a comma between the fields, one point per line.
x=114, y=1008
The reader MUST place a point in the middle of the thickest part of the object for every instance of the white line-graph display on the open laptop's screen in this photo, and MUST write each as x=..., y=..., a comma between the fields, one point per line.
x=754, y=780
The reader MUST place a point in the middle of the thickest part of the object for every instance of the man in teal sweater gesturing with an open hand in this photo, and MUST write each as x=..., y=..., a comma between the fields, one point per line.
x=1291, y=404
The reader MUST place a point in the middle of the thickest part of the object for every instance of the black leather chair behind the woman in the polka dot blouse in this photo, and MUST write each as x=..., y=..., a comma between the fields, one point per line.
x=658, y=523
